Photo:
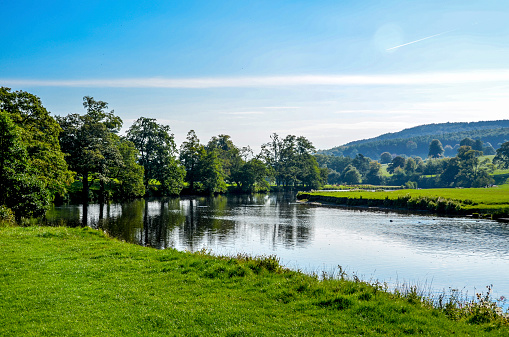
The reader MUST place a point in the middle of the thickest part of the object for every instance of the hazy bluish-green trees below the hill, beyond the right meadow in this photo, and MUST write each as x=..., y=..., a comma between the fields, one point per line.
x=466, y=169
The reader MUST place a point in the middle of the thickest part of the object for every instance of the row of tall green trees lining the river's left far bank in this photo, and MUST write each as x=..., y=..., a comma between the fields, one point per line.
x=83, y=157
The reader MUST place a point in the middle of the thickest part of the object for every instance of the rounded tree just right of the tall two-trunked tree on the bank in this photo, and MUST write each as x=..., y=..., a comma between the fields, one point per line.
x=157, y=154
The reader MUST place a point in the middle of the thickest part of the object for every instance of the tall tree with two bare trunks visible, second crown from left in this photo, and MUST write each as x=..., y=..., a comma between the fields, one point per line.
x=89, y=140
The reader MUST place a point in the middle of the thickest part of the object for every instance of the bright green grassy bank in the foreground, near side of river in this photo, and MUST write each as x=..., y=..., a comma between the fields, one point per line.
x=78, y=282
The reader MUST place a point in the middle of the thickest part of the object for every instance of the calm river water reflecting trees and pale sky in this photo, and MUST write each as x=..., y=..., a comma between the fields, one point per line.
x=435, y=253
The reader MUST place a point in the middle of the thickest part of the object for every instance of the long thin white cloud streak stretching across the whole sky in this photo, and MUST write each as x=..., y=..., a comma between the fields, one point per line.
x=498, y=75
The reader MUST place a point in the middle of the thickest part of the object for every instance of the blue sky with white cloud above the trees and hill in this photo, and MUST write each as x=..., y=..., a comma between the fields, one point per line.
x=333, y=71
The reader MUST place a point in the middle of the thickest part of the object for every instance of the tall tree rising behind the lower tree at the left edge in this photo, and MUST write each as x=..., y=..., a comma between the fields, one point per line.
x=39, y=133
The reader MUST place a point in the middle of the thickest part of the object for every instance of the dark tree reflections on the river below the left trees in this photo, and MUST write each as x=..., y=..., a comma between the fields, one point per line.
x=193, y=222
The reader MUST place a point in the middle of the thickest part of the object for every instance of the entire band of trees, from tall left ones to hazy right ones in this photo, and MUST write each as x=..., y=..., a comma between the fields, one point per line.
x=83, y=158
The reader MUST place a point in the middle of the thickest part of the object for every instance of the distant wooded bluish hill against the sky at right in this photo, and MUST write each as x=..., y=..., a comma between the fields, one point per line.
x=415, y=141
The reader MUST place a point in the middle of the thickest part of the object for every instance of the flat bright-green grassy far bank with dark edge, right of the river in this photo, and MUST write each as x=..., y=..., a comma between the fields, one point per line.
x=492, y=202
